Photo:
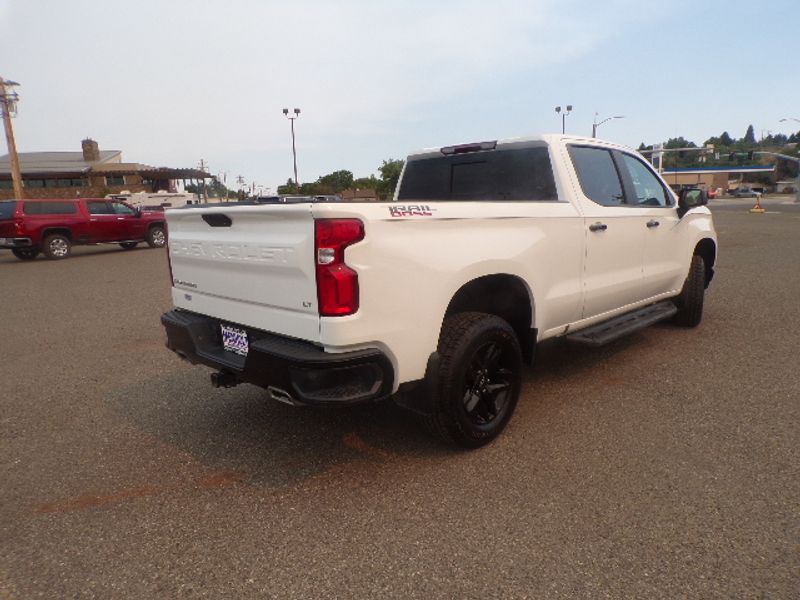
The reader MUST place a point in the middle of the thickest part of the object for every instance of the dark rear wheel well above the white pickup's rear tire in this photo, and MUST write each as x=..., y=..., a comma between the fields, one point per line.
x=505, y=296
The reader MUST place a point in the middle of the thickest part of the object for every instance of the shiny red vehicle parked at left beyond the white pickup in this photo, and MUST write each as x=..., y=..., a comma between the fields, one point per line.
x=52, y=227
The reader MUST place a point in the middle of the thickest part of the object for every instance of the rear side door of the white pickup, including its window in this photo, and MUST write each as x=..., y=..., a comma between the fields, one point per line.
x=614, y=230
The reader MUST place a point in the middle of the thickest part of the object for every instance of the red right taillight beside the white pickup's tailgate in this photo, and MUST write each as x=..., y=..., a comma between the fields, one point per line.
x=337, y=284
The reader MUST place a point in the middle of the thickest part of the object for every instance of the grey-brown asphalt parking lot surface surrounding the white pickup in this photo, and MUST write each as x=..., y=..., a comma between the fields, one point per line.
x=662, y=466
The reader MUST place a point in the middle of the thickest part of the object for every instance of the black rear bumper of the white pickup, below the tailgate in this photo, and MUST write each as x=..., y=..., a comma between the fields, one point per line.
x=294, y=371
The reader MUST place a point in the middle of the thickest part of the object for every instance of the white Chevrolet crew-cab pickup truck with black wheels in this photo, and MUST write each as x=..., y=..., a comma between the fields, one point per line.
x=440, y=296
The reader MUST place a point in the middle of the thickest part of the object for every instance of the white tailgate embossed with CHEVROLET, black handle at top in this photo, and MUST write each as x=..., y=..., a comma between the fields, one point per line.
x=247, y=264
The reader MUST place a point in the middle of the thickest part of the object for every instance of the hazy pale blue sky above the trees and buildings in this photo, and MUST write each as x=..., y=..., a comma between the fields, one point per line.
x=170, y=82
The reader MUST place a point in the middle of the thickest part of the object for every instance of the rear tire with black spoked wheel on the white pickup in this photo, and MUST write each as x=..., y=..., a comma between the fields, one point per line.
x=478, y=379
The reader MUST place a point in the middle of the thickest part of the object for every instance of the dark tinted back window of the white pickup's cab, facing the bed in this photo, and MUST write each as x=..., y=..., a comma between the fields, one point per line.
x=513, y=174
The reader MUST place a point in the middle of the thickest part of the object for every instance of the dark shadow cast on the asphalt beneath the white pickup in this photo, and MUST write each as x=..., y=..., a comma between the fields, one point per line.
x=242, y=432
